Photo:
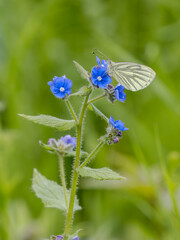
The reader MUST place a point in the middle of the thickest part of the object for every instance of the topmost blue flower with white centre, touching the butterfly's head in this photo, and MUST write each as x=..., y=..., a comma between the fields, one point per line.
x=99, y=76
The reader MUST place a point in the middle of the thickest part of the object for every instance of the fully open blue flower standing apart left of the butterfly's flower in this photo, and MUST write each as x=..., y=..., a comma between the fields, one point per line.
x=60, y=86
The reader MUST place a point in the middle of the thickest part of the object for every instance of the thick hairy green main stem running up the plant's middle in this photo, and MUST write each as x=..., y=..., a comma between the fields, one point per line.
x=75, y=173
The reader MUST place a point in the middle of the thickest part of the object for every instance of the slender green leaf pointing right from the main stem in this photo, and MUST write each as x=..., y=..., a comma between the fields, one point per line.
x=99, y=174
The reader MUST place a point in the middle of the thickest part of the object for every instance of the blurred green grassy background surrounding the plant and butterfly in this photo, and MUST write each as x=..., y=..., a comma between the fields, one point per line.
x=38, y=40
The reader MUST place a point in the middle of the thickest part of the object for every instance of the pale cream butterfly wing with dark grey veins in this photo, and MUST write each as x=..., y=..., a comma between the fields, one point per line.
x=132, y=76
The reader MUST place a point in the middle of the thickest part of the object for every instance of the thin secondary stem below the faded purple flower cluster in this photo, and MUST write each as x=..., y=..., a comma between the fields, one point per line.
x=63, y=178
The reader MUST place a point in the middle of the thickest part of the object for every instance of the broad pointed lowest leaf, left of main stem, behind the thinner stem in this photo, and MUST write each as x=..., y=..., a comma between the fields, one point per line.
x=50, y=192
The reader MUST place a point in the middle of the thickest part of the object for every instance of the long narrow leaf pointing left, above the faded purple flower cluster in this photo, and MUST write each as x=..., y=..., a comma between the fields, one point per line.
x=50, y=121
